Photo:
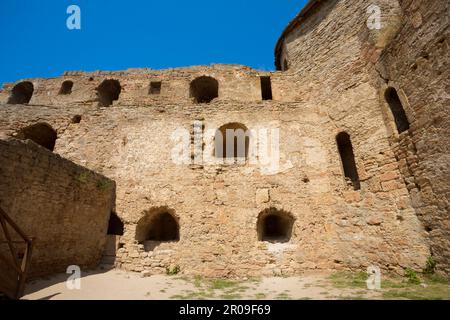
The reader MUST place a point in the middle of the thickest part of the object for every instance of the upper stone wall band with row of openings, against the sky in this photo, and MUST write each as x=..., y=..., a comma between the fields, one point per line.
x=238, y=83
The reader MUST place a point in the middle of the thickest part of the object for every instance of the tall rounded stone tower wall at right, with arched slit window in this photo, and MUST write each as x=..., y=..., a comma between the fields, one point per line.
x=410, y=53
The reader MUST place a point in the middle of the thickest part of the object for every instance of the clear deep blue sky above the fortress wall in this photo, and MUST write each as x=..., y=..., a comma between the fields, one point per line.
x=121, y=34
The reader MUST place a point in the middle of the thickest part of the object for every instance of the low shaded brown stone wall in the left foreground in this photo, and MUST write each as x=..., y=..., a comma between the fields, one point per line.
x=63, y=206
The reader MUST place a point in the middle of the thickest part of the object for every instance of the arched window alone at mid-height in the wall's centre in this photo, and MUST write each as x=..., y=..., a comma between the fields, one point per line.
x=232, y=141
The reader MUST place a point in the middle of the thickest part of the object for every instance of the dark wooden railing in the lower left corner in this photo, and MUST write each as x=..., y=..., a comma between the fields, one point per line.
x=15, y=265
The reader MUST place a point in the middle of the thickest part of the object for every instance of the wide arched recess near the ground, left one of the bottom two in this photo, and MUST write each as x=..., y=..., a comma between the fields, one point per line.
x=158, y=225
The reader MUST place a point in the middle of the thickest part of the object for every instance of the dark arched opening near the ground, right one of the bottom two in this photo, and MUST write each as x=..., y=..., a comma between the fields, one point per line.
x=275, y=226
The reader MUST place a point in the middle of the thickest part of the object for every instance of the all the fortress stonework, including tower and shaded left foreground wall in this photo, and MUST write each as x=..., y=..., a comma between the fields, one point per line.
x=364, y=154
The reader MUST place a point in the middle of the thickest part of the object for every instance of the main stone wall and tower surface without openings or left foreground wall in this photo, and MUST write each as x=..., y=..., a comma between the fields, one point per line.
x=338, y=72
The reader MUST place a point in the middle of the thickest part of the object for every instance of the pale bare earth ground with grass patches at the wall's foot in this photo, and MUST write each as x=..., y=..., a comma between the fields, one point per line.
x=120, y=285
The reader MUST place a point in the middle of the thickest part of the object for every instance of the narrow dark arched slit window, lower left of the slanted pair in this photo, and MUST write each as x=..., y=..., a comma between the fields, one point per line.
x=348, y=159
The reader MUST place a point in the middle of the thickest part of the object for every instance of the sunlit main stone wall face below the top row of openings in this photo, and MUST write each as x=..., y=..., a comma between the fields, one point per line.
x=218, y=206
